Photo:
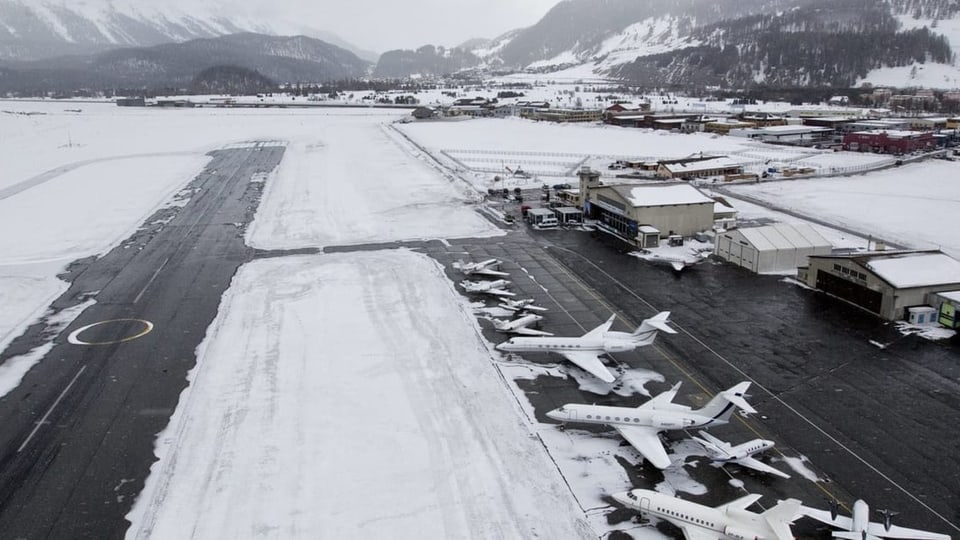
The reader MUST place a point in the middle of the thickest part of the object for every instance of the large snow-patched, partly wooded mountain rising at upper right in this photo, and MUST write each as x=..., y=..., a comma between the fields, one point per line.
x=729, y=43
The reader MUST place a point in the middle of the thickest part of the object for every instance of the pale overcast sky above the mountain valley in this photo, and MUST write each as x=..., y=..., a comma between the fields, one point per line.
x=381, y=25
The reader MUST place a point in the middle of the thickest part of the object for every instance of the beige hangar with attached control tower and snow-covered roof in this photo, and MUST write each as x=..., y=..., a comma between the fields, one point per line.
x=642, y=213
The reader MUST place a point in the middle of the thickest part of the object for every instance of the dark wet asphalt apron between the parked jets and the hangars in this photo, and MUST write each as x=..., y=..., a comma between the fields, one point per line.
x=876, y=424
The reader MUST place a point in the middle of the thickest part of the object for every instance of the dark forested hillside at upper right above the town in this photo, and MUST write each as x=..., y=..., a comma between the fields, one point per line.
x=822, y=44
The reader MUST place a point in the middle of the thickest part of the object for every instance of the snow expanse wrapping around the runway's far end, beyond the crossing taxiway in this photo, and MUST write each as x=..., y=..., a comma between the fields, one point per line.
x=76, y=184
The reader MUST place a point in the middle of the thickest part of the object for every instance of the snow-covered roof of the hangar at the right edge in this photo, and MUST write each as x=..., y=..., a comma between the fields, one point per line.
x=905, y=270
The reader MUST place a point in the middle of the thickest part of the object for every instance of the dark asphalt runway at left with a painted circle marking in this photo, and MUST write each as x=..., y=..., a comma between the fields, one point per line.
x=79, y=432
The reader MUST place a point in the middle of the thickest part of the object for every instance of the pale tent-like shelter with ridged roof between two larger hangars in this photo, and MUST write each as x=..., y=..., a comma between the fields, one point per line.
x=772, y=249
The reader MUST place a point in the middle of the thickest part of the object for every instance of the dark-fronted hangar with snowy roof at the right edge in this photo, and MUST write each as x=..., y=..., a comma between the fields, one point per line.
x=886, y=283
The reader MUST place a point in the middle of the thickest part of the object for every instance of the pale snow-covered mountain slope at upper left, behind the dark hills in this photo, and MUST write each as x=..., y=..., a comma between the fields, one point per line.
x=39, y=29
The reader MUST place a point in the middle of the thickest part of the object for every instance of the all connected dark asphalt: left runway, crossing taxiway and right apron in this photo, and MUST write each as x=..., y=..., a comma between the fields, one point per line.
x=878, y=424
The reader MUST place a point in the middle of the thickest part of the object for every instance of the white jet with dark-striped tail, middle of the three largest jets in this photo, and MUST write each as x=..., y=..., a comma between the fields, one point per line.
x=642, y=425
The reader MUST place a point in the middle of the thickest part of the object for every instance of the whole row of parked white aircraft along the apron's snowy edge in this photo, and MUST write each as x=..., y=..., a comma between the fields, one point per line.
x=641, y=427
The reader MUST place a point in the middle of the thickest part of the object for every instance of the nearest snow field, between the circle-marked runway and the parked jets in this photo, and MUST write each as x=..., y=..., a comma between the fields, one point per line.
x=346, y=396
